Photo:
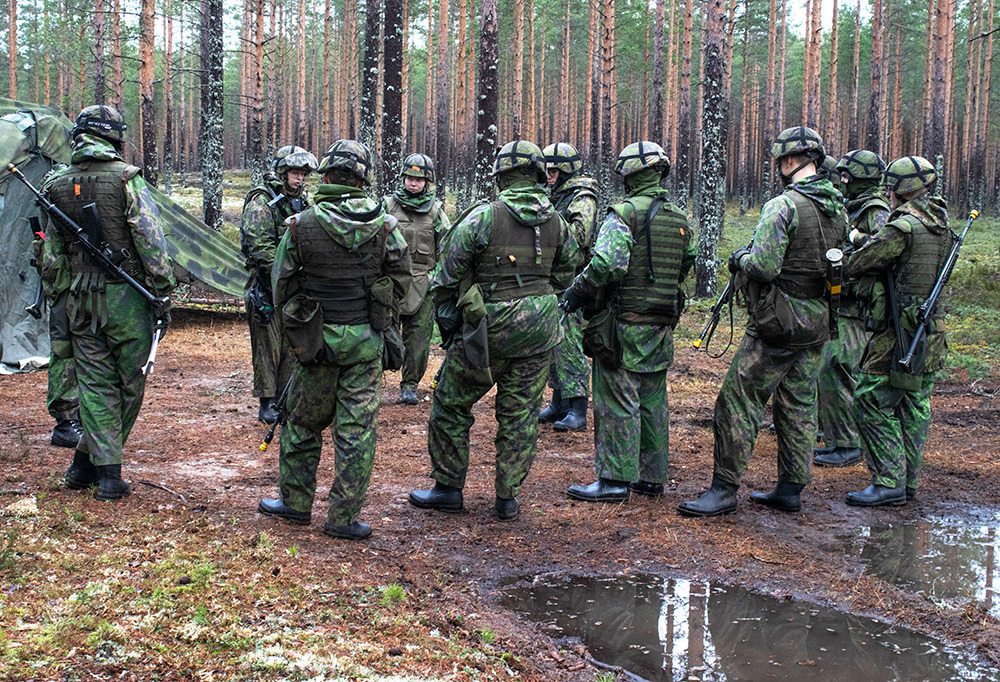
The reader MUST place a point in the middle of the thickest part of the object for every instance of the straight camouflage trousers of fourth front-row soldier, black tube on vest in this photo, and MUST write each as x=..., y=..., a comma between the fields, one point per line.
x=631, y=425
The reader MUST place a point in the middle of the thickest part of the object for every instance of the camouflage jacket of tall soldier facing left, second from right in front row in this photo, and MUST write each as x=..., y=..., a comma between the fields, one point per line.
x=778, y=222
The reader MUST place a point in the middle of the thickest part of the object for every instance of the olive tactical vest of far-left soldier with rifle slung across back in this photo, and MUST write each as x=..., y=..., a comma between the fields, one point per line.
x=103, y=183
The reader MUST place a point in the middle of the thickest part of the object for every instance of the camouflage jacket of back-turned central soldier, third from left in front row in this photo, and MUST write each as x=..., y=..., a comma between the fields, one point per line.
x=523, y=327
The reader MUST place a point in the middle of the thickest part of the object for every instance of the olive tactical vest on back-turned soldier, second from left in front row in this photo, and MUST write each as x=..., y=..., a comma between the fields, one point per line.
x=335, y=276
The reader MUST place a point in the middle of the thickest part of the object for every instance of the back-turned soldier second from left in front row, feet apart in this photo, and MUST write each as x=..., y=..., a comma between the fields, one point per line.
x=332, y=256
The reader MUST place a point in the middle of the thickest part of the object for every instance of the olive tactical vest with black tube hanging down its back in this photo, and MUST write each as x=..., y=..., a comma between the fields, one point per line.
x=648, y=292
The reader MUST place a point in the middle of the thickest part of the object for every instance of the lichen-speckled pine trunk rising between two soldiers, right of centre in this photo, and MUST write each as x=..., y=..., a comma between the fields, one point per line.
x=713, y=165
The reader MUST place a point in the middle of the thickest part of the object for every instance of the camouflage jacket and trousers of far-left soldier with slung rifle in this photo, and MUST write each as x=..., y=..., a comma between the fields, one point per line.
x=110, y=324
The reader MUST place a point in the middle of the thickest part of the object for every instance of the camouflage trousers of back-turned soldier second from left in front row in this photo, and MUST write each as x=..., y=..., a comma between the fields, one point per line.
x=345, y=397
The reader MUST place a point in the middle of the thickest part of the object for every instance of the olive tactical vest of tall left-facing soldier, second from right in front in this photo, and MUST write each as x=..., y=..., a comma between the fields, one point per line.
x=803, y=270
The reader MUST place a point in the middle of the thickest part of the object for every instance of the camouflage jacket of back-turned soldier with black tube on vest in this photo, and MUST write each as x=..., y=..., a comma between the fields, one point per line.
x=645, y=348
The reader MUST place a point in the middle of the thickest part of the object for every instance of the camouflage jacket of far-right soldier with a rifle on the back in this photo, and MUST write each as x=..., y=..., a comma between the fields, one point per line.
x=883, y=252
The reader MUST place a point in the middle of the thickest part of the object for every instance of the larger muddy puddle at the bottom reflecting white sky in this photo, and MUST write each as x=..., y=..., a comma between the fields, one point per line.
x=674, y=629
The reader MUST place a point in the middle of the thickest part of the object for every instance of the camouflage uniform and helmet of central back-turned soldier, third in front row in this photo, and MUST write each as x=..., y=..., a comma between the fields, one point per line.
x=522, y=331
